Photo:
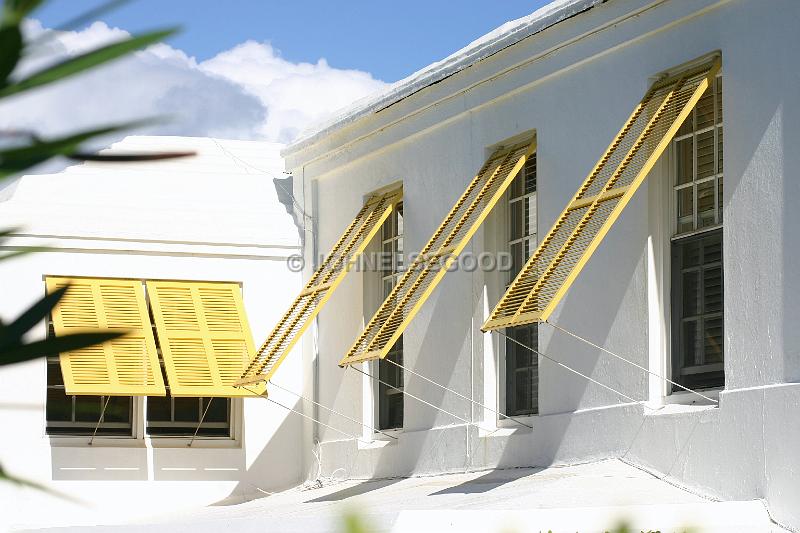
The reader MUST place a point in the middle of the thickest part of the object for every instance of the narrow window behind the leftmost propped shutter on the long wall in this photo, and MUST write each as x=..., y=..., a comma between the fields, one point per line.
x=390, y=400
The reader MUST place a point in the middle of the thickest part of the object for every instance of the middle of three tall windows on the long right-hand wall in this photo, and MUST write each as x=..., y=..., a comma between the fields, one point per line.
x=521, y=364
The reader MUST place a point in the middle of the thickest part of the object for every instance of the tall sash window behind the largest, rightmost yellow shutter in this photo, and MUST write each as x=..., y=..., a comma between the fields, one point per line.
x=696, y=247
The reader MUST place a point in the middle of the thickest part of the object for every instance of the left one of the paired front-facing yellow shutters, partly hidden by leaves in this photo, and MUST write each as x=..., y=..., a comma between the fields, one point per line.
x=127, y=366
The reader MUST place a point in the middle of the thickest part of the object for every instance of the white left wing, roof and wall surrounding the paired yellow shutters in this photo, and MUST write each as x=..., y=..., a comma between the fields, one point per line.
x=215, y=216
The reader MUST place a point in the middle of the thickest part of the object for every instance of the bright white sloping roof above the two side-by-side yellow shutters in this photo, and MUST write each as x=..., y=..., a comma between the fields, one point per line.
x=225, y=194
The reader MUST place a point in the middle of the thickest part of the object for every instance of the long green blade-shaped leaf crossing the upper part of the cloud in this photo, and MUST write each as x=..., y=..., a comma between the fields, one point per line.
x=83, y=62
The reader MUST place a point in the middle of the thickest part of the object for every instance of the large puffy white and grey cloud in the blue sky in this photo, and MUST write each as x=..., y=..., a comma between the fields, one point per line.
x=248, y=92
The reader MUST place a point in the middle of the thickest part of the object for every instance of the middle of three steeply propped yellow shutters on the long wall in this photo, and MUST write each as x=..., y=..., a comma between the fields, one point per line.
x=447, y=242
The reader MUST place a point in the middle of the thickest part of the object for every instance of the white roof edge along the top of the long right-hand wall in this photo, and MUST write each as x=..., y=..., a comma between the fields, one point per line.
x=496, y=40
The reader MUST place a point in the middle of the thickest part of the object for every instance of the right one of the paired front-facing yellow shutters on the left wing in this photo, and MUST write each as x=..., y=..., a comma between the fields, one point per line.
x=204, y=336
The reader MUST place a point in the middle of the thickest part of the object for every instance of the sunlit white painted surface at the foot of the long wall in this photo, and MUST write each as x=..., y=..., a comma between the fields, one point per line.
x=587, y=498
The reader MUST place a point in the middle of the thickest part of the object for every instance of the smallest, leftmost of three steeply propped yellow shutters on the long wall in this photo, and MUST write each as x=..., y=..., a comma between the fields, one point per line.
x=320, y=287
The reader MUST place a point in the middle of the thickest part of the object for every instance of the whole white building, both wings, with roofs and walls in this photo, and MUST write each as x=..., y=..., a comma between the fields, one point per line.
x=559, y=84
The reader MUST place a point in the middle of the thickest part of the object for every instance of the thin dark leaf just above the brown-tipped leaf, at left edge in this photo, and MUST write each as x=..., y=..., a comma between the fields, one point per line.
x=15, y=160
